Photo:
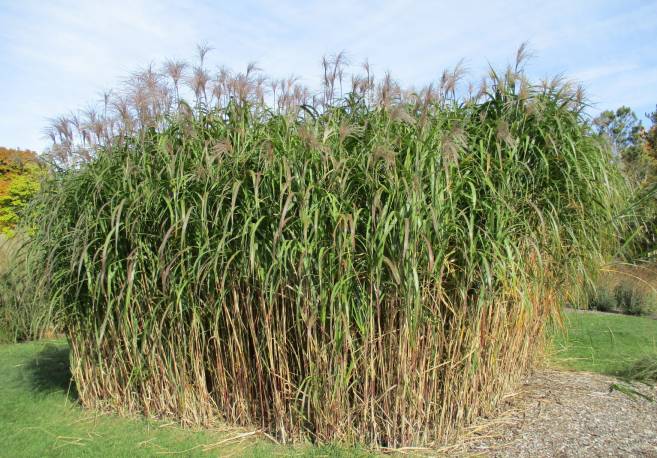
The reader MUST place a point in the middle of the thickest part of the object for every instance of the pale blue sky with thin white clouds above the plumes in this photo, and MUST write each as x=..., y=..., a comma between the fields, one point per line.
x=58, y=56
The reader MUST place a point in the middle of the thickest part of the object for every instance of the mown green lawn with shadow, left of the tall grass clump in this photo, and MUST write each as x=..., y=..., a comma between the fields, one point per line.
x=40, y=416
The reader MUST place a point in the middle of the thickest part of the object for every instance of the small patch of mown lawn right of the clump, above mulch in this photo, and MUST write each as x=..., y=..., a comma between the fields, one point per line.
x=607, y=343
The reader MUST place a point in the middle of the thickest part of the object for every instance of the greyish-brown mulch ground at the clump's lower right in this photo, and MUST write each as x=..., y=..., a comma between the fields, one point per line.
x=571, y=414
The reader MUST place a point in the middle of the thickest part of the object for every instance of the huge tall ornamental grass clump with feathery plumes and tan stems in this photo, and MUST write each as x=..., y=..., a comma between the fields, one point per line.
x=373, y=268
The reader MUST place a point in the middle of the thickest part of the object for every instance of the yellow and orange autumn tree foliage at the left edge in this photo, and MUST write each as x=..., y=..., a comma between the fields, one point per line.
x=19, y=181
